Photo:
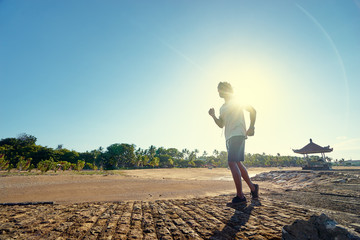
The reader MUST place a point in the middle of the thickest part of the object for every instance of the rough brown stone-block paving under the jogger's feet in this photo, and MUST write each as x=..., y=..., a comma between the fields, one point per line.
x=199, y=218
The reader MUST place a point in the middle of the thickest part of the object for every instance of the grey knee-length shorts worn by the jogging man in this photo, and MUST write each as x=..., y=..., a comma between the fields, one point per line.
x=236, y=148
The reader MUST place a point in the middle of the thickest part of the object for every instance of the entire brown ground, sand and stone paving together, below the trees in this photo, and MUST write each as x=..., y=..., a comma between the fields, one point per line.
x=174, y=204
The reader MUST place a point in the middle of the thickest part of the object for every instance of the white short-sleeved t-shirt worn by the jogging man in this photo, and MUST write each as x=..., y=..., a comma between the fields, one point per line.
x=232, y=115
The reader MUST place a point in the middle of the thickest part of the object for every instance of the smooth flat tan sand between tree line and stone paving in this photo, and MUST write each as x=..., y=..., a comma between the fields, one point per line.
x=142, y=184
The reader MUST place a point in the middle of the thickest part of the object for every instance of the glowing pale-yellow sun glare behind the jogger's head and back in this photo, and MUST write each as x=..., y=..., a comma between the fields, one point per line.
x=255, y=83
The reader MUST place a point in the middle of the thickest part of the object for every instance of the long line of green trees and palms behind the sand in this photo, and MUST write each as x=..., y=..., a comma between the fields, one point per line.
x=24, y=154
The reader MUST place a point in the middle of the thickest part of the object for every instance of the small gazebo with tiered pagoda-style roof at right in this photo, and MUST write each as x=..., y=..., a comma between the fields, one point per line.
x=312, y=148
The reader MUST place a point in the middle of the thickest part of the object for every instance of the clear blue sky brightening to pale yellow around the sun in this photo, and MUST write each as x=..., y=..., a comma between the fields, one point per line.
x=89, y=73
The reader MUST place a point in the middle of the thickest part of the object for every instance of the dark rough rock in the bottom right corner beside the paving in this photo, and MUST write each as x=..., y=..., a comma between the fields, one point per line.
x=317, y=228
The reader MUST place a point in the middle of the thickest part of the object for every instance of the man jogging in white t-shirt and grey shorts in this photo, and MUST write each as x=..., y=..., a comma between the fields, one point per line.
x=232, y=117
